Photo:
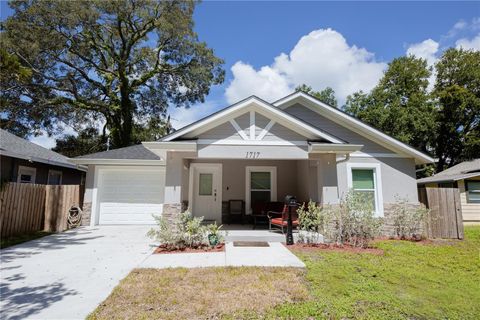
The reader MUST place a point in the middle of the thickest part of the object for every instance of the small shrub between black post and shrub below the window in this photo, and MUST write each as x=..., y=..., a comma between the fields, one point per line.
x=312, y=221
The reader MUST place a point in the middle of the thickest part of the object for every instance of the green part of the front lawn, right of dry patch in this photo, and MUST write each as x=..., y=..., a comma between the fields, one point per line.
x=440, y=280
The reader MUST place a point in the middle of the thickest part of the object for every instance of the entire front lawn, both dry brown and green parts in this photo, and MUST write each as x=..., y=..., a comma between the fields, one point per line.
x=438, y=280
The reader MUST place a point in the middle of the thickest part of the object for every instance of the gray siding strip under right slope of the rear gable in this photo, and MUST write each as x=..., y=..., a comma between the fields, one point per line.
x=335, y=129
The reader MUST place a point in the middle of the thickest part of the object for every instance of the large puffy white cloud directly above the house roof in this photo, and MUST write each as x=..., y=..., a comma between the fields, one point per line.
x=320, y=59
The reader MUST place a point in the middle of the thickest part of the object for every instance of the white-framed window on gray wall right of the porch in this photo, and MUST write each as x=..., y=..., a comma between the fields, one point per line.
x=366, y=179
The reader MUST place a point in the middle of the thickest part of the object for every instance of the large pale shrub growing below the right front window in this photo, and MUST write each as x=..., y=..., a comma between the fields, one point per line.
x=353, y=221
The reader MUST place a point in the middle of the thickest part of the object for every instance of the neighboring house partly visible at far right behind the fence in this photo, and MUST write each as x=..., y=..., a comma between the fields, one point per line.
x=466, y=177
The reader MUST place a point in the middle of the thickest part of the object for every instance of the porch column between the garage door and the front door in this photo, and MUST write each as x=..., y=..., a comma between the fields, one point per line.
x=173, y=184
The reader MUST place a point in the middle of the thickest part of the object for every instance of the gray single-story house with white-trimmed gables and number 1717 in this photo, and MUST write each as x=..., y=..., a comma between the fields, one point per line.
x=252, y=151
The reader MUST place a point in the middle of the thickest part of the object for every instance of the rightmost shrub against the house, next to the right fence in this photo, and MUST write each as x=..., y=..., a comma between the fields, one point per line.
x=408, y=220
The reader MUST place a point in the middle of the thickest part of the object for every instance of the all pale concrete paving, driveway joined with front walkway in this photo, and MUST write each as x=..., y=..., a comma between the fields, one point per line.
x=66, y=275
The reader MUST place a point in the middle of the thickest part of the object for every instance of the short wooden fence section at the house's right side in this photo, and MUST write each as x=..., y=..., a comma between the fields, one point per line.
x=445, y=212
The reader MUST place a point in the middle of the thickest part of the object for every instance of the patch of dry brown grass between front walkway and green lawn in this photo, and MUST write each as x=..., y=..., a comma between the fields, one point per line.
x=203, y=293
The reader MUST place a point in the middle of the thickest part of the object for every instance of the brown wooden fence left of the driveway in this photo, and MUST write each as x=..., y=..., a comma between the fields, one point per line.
x=26, y=208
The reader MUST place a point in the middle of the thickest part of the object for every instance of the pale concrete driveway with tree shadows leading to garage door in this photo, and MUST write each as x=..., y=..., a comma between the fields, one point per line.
x=66, y=275
